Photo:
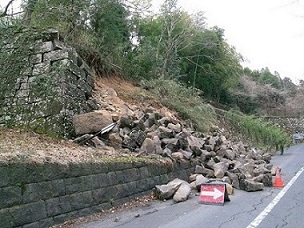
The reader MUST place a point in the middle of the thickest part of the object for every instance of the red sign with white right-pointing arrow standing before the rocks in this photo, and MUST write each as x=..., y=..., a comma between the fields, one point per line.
x=212, y=193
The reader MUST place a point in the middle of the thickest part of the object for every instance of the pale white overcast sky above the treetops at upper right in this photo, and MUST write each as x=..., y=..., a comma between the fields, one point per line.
x=267, y=33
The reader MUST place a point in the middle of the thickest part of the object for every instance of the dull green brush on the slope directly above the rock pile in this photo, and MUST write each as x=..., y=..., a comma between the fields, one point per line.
x=185, y=101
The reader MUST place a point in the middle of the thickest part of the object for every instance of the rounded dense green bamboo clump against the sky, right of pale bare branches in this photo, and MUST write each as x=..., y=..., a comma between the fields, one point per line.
x=211, y=65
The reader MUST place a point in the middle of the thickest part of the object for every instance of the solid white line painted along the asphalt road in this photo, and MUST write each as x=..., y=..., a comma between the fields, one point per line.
x=271, y=205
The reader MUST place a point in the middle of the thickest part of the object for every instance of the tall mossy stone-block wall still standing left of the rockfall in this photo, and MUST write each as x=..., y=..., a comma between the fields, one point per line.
x=51, y=86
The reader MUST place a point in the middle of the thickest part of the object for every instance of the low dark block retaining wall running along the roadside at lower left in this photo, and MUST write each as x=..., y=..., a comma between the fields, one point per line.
x=41, y=195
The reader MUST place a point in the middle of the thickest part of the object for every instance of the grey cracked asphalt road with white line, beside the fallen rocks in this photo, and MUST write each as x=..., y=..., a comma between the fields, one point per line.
x=272, y=207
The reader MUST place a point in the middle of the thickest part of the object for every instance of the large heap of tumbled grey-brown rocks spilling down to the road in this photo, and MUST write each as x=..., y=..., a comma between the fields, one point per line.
x=149, y=132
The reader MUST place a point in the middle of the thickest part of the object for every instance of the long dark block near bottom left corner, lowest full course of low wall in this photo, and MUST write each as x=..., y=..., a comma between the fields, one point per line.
x=28, y=213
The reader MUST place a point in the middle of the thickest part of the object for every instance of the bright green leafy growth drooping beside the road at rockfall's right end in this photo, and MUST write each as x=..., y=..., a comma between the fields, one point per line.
x=258, y=131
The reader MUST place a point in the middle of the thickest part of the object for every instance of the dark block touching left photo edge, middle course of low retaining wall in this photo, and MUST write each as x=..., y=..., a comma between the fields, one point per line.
x=10, y=196
